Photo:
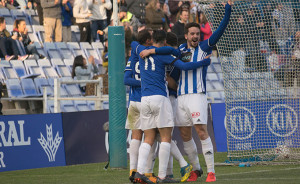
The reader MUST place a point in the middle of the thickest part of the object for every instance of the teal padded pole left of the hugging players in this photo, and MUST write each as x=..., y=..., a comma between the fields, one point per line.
x=117, y=97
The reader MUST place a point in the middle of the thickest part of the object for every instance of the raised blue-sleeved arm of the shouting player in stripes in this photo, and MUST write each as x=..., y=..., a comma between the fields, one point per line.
x=221, y=29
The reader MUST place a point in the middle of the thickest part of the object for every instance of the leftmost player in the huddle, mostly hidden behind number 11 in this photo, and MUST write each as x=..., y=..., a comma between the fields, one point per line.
x=132, y=78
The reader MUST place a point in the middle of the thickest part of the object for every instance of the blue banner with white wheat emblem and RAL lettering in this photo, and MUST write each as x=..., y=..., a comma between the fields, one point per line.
x=31, y=141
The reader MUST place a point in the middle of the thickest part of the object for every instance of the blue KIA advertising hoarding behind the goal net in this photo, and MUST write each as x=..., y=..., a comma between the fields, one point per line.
x=257, y=124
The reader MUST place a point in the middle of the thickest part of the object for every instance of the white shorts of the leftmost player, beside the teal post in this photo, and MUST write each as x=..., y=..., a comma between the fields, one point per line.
x=133, y=121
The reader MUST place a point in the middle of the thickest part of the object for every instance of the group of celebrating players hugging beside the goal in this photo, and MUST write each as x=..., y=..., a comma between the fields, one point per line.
x=168, y=86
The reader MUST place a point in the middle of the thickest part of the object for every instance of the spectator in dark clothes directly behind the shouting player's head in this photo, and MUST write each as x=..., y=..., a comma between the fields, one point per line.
x=178, y=28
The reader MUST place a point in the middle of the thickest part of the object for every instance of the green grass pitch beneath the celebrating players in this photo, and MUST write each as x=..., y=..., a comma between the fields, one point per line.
x=94, y=173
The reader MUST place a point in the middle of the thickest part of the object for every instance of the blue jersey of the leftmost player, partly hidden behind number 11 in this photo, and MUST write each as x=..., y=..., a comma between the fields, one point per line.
x=134, y=69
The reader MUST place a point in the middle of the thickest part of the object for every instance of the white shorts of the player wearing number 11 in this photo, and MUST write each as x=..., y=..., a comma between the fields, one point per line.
x=156, y=112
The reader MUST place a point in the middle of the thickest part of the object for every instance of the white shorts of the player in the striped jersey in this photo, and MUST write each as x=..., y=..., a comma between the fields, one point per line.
x=192, y=109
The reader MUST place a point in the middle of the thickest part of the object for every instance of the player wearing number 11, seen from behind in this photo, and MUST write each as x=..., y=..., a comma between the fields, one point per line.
x=156, y=109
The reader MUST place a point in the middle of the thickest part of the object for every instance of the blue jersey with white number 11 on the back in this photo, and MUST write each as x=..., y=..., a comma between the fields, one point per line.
x=153, y=73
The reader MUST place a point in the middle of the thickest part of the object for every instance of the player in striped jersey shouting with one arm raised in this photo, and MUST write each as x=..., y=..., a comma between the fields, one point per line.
x=192, y=101
